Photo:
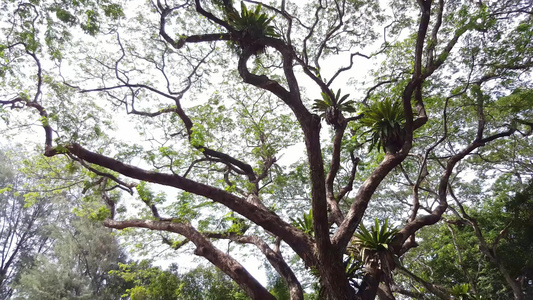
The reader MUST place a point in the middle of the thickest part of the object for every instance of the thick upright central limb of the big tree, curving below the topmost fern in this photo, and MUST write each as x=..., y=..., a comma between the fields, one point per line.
x=330, y=260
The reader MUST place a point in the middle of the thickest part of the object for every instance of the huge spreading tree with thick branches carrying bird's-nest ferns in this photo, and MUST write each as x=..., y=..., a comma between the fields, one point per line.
x=454, y=75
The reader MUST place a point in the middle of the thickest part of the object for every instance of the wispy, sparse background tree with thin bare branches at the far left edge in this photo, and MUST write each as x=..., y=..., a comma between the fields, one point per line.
x=24, y=217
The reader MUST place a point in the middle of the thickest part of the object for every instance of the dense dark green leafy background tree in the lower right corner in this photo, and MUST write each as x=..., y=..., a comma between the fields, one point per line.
x=487, y=250
